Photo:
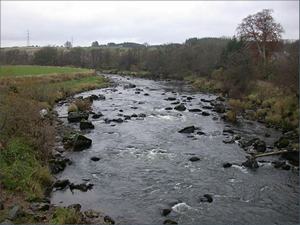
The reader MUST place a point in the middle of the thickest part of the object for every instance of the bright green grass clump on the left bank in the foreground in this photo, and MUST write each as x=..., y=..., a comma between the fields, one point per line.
x=21, y=171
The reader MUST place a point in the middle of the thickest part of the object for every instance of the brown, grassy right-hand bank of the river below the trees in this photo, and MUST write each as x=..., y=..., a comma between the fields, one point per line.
x=264, y=102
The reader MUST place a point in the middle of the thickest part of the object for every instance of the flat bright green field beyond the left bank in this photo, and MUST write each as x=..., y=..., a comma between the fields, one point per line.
x=26, y=70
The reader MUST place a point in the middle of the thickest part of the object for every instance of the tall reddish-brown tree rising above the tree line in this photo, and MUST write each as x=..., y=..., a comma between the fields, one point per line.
x=261, y=29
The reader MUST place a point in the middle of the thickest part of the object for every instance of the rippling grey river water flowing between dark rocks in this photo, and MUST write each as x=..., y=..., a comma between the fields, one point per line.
x=145, y=167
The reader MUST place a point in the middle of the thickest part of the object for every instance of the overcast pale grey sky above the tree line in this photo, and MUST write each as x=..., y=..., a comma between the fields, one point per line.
x=53, y=22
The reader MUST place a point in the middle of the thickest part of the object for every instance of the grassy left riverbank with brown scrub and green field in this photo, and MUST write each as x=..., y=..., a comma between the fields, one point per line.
x=28, y=130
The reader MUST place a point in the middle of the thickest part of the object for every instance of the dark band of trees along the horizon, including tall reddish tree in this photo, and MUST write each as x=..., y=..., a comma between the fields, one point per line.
x=256, y=52
